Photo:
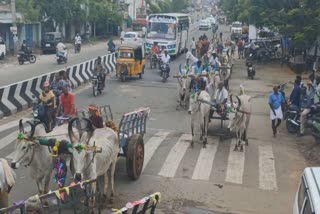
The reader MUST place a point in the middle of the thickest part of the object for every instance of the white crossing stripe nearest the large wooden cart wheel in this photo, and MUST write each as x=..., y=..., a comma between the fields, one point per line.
x=152, y=145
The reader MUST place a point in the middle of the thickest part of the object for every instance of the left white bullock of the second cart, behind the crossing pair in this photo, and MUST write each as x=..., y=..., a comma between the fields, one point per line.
x=183, y=87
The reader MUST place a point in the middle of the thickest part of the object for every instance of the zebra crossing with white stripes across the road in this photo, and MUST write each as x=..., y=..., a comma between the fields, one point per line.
x=167, y=154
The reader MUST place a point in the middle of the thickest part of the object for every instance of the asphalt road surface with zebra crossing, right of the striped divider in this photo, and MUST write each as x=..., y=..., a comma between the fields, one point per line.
x=263, y=179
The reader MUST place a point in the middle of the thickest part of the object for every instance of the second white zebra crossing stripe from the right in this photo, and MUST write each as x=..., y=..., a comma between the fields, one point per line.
x=235, y=167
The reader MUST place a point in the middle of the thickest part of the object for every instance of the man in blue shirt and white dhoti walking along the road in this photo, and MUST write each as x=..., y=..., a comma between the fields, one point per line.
x=276, y=101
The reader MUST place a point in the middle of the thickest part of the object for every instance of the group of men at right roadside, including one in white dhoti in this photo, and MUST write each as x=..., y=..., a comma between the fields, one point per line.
x=301, y=99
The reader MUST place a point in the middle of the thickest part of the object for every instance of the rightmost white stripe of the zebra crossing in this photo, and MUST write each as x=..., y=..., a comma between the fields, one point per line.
x=267, y=172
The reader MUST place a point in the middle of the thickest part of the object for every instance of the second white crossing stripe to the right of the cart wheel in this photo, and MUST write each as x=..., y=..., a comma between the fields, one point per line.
x=175, y=156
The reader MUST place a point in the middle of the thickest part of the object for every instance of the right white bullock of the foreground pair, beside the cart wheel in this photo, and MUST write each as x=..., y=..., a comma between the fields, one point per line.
x=89, y=164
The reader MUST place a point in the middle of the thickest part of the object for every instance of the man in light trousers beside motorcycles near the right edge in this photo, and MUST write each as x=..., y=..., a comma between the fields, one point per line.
x=305, y=108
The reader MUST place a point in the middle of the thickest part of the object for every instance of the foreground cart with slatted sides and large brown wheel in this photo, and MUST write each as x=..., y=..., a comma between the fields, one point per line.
x=131, y=130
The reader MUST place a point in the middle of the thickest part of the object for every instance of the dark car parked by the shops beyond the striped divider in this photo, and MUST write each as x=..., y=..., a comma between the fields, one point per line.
x=50, y=41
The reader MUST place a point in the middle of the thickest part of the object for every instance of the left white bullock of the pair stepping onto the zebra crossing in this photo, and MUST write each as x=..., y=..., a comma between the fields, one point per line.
x=200, y=113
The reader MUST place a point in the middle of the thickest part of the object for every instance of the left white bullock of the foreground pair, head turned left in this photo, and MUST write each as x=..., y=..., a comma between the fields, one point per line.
x=29, y=153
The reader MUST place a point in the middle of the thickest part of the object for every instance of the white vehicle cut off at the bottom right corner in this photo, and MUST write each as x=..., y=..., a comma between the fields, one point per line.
x=307, y=200
